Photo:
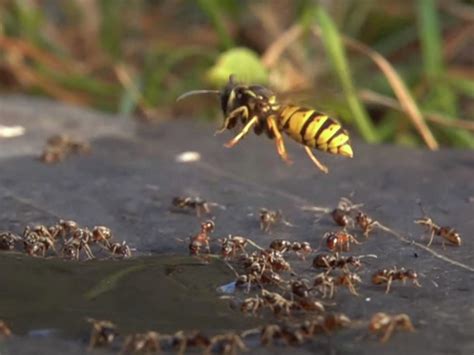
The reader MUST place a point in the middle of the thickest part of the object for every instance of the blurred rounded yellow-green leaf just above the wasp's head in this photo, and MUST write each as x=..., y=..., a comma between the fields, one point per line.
x=242, y=62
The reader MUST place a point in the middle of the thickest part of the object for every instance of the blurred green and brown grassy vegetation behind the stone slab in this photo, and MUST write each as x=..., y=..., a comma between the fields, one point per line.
x=394, y=71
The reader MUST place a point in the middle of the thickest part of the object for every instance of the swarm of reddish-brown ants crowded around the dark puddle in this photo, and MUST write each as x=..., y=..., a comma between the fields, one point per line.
x=264, y=270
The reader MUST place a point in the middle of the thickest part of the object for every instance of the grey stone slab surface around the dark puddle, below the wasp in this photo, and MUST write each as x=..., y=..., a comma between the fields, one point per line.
x=131, y=176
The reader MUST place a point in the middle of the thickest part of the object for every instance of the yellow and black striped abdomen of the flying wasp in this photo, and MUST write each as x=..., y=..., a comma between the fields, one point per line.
x=315, y=130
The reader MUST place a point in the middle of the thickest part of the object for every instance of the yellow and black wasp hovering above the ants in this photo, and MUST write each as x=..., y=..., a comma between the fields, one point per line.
x=256, y=107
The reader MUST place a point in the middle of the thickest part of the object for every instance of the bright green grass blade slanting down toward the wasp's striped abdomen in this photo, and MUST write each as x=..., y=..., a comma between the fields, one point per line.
x=335, y=49
